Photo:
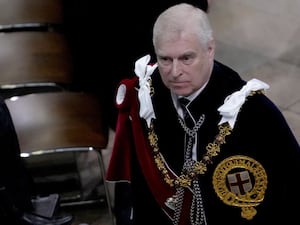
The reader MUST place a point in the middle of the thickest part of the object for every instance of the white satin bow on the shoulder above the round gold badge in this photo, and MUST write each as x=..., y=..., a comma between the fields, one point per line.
x=232, y=104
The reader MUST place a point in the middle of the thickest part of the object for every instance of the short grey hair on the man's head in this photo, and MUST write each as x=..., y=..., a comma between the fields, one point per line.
x=182, y=19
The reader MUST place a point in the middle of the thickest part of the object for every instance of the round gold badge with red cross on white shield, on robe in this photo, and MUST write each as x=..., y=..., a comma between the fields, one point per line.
x=241, y=181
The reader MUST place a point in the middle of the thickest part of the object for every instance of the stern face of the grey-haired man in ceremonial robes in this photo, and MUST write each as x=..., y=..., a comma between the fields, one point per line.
x=184, y=65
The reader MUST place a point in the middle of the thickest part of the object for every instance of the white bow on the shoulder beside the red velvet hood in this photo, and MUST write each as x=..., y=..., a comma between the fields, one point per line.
x=143, y=70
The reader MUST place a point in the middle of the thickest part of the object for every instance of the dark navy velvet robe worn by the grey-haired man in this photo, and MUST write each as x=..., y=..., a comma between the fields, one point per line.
x=261, y=133
